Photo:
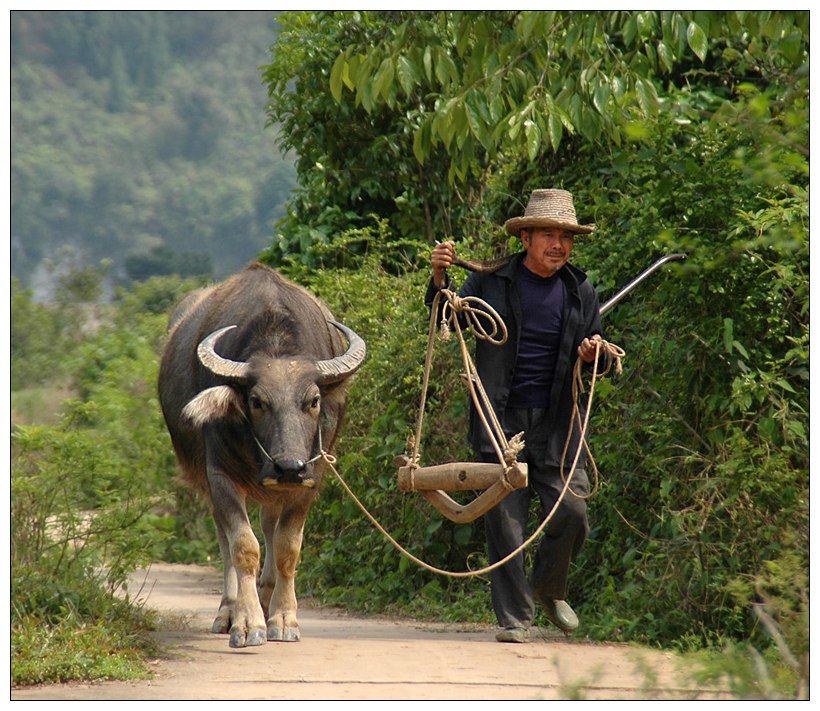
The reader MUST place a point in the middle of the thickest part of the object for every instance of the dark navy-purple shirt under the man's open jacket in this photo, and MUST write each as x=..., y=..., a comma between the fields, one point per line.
x=542, y=308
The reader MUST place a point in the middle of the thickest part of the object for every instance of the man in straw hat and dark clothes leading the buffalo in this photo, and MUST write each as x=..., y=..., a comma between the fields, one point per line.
x=552, y=315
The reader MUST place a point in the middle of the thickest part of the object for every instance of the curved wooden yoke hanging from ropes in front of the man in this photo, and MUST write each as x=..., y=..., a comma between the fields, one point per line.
x=431, y=482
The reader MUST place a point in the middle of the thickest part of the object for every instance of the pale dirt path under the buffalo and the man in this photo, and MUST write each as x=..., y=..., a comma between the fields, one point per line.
x=342, y=657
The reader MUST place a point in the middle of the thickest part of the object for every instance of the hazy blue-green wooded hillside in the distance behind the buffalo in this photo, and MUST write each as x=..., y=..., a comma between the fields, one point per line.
x=139, y=137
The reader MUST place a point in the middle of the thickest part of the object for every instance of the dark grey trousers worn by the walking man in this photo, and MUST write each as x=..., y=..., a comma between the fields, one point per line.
x=513, y=592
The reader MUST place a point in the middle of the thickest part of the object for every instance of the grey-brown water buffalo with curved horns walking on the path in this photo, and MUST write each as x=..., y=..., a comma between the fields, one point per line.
x=252, y=384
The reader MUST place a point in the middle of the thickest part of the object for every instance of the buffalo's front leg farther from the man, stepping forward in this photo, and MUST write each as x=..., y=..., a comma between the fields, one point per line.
x=247, y=621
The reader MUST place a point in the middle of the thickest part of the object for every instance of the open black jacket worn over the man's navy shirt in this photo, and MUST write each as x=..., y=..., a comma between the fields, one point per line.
x=496, y=364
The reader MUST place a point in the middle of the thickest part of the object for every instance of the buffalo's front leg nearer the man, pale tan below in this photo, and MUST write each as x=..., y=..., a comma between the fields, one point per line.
x=283, y=543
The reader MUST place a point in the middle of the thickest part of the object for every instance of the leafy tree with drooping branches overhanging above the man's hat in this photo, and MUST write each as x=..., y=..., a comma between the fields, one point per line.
x=412, y=115
